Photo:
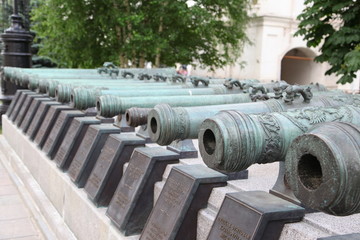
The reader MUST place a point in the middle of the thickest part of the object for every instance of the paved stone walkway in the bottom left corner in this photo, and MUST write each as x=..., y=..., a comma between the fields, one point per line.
x=16, y=221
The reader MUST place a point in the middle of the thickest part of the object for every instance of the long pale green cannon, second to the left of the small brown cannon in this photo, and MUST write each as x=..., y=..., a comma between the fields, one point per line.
x=82, y=98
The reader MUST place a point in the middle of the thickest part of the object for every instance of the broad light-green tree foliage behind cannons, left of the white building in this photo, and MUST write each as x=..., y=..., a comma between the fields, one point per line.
x=86, y=33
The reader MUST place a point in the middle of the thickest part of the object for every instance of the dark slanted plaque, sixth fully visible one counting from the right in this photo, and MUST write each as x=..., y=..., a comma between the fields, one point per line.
x=72, y=141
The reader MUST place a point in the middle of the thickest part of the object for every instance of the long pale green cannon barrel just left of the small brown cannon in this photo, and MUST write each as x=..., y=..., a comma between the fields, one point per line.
x=109, y=106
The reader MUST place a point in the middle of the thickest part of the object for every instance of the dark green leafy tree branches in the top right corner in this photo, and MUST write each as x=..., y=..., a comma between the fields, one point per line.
x=335, y=27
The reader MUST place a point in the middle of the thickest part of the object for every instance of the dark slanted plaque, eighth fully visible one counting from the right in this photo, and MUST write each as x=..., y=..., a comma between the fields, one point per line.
x=48, y=123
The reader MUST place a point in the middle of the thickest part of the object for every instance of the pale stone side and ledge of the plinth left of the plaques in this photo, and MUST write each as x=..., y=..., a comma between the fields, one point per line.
x=65, y=208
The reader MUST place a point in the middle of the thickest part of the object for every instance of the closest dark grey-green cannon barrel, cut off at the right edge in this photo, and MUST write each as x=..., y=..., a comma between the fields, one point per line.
x=323, y=168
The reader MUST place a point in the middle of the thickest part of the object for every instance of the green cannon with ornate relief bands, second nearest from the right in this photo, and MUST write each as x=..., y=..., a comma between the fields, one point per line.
x=233, y=141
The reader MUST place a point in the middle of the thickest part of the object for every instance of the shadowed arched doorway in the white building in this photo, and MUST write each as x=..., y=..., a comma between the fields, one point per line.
x=298, y=67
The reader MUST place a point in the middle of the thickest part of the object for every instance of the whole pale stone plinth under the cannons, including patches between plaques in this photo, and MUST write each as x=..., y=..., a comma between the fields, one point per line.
x=65, y=211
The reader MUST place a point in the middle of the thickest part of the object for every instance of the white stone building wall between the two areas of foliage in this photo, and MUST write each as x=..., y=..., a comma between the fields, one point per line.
x=271, y=32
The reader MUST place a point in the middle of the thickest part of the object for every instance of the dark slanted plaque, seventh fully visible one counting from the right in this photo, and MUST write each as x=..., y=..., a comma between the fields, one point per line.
x=59, y=130
